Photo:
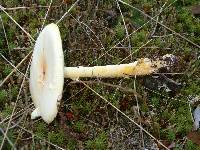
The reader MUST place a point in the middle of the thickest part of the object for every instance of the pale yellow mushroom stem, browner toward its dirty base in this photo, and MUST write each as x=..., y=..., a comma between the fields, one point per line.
x=143, y=66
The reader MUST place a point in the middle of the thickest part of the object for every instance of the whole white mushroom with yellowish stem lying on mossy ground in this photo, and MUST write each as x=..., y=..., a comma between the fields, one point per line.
x=47, y=72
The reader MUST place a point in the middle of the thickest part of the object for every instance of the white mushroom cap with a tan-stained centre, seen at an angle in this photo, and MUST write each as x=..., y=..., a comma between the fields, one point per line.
x=47, y=73
